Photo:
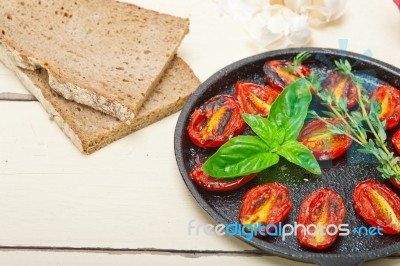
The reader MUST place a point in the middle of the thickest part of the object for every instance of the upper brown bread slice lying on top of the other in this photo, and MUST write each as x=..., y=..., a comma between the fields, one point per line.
x=102, y=53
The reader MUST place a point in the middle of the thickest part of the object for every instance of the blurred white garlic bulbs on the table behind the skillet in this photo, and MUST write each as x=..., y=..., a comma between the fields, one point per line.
x=282, y=23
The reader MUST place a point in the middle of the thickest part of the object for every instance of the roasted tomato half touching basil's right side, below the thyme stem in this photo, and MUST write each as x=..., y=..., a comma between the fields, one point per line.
x=324, y=144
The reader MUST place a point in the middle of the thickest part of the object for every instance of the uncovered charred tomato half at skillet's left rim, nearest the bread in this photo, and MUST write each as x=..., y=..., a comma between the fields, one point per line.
x=216, y=121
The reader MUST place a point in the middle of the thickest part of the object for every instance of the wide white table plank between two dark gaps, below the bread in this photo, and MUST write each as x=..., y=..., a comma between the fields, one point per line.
x=52, y=195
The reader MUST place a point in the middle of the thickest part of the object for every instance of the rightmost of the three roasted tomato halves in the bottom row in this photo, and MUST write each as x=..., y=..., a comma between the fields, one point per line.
x=378, y=206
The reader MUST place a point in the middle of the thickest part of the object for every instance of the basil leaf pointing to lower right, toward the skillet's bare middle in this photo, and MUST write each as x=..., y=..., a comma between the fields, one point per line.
x=297, y=153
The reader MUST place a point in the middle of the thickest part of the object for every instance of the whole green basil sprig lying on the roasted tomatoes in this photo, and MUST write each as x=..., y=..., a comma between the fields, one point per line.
x=276, y=136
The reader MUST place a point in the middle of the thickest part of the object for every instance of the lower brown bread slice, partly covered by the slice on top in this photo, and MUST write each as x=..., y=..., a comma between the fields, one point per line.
x=90, y=129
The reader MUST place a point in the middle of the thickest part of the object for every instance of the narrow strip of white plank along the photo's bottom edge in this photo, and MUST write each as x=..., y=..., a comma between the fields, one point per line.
x=74, y=258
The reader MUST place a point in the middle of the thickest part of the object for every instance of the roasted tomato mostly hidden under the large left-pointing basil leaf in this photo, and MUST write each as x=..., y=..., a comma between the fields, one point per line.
x=218, y=184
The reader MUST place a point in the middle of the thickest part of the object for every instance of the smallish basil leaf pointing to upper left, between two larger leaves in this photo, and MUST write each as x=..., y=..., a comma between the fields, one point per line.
x=267, y=131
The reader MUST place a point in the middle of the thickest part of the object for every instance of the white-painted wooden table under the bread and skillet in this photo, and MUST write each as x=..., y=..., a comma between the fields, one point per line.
x=127, y=204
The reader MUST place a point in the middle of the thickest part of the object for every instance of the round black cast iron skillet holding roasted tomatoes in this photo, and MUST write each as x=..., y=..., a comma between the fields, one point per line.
x=341, y=174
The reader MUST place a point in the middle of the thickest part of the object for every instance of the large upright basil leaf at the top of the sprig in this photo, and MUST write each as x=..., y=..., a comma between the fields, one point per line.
x=290, y=108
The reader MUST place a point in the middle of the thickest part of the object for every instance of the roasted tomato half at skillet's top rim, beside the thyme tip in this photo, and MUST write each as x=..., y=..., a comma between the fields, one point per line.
x=277, y=75
